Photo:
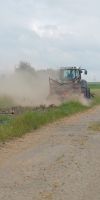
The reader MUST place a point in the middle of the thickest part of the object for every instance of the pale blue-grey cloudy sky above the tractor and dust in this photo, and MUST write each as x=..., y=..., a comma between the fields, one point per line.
x=50, y=33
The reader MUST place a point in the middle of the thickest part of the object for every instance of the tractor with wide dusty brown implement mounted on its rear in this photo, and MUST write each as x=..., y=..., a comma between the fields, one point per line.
x=69, y=83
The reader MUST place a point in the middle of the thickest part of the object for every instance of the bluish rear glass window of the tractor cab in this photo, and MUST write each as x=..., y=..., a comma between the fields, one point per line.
x=69, y=74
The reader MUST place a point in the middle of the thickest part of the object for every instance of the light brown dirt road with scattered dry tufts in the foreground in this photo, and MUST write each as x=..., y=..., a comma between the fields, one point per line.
x=58, y=162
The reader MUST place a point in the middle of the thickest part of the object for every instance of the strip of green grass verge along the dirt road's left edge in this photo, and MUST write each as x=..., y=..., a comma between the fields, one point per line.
x=30, y=121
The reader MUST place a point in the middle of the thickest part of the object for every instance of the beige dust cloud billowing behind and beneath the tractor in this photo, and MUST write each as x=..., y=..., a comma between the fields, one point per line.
x=31, y=88
